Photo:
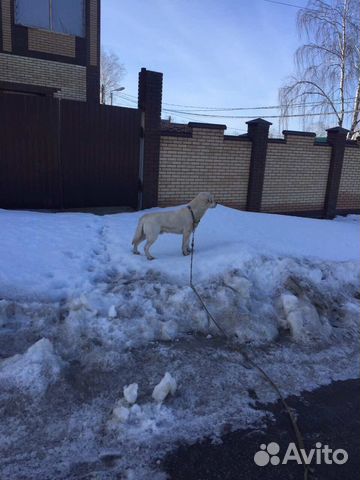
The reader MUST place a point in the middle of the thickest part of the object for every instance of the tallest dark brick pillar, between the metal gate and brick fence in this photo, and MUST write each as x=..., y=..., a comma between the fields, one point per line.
x=150, y=94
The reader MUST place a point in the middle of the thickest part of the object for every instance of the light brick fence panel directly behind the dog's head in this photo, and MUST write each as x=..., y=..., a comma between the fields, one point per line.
x=204, y=161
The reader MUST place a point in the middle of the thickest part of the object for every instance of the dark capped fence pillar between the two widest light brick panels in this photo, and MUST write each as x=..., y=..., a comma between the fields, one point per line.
x=258, y=132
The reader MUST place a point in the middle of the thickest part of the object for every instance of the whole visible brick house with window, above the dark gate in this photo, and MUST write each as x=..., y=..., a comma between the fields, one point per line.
x=50, y=47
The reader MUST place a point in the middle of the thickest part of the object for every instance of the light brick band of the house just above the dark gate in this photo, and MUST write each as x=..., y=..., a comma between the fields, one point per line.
x=71, y=79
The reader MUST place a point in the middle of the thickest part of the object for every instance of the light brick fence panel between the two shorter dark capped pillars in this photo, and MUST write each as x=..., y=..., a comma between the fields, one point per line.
x=296, y=174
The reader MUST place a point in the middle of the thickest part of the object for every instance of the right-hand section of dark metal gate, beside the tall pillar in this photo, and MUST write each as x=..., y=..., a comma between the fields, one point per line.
x=99, y=154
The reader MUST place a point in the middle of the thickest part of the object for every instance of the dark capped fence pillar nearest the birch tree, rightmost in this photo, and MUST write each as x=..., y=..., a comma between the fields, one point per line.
x=336, y=137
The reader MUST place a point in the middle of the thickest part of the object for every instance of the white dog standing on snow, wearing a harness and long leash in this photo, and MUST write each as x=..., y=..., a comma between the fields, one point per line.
x=181, y=221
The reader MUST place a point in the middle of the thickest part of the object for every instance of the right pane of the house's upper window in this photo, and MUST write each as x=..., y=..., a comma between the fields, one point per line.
x=69, y=17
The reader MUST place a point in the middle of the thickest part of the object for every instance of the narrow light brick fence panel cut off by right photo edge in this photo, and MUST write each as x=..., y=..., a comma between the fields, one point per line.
x=349, y=190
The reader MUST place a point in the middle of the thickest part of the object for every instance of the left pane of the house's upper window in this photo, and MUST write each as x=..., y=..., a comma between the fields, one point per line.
x=32, y=13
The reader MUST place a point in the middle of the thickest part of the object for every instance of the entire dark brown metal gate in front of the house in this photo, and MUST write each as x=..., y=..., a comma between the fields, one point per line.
x=67, y=154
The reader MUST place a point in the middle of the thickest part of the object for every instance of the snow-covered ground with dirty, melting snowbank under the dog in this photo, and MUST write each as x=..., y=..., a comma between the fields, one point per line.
x=81, y=318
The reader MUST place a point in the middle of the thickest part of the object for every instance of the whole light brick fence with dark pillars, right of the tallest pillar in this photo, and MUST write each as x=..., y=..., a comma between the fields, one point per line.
x=299, y=174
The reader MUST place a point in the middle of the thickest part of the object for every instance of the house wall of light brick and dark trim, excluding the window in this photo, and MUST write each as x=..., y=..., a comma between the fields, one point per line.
x=41, y=58
